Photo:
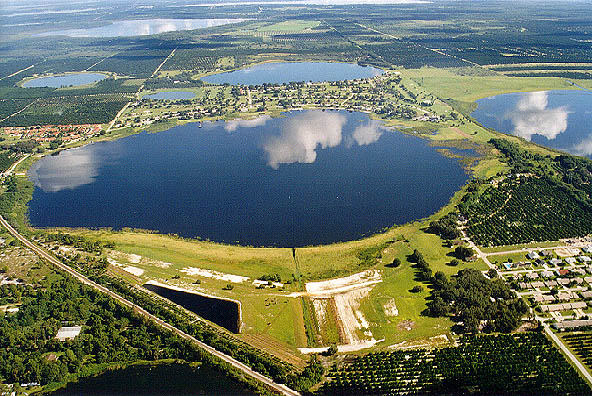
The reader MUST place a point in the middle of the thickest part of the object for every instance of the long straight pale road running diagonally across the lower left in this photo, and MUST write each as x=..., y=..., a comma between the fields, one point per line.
x=244, y=368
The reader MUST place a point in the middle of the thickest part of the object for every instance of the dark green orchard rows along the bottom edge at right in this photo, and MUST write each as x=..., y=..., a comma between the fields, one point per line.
x=504, y=364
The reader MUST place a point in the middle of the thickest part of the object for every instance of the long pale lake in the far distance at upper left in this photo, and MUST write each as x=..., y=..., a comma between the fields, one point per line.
x=143, y=27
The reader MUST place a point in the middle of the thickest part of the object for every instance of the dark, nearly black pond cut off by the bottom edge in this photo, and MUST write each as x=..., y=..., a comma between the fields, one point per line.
x=157, y=380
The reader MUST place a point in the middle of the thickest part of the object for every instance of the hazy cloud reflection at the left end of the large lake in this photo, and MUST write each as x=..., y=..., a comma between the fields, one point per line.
x=68, y=170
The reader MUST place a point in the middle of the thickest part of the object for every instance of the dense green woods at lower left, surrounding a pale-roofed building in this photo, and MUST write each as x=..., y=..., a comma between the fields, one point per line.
x=29, y=351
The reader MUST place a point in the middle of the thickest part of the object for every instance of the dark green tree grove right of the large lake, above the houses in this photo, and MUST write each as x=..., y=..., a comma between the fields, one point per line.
x=549, y=201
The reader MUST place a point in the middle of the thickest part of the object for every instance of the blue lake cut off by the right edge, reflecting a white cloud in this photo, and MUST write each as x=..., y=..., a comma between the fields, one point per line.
x=560, y=119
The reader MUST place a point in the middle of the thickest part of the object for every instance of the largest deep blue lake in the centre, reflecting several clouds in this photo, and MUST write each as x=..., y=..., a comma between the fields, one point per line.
x=309, y=178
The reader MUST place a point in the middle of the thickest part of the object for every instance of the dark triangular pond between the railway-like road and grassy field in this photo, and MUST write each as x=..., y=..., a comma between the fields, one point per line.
x=224, y=313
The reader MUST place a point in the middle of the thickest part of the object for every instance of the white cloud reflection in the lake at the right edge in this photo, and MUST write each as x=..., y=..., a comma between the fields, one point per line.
x=532, y=117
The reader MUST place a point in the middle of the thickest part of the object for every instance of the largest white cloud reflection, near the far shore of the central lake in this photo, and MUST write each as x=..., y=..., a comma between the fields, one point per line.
x=300, y=137
